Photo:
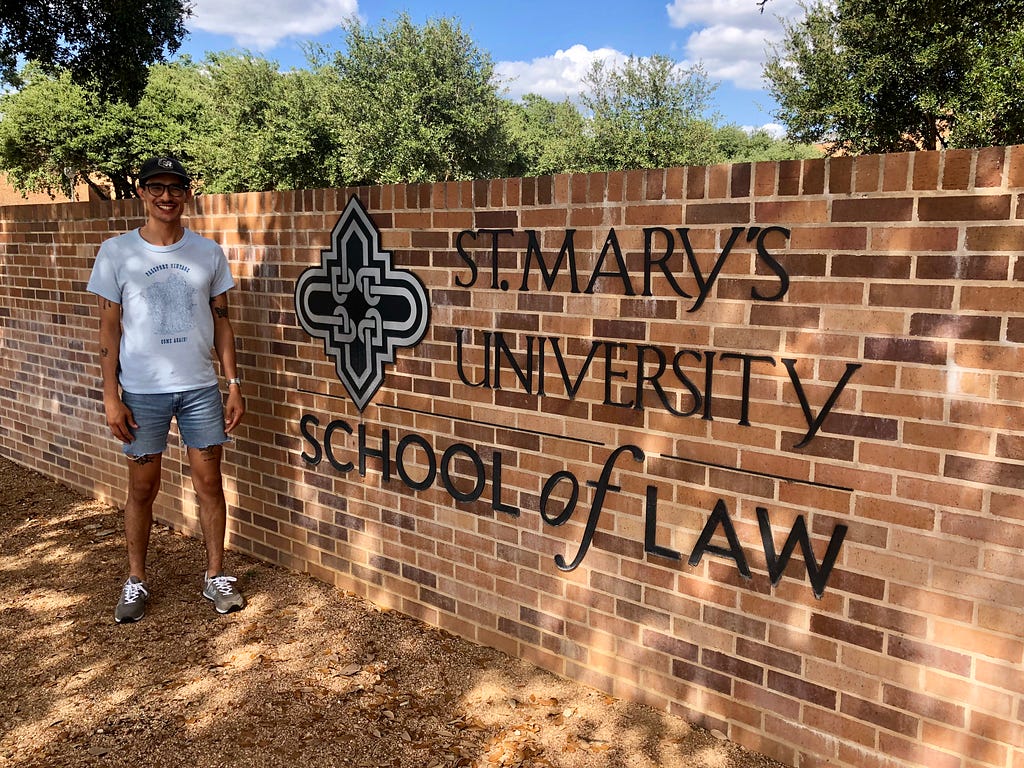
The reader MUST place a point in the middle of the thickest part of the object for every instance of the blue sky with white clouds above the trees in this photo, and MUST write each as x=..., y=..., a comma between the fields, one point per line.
x=539, y=47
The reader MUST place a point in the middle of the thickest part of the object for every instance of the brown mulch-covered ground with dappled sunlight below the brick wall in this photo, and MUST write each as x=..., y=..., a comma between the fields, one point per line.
x=307, y=675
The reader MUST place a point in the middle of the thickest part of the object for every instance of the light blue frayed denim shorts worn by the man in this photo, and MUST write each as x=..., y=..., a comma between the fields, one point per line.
x=200, y=414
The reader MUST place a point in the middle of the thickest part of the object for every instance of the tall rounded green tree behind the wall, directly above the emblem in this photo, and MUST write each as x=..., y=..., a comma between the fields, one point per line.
x=419, y=105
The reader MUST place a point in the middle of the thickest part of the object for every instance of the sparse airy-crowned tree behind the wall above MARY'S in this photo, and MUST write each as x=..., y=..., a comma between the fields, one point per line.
x=649, y=113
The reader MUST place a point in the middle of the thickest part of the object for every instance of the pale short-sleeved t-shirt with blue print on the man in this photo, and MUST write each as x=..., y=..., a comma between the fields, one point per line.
x=164, y=293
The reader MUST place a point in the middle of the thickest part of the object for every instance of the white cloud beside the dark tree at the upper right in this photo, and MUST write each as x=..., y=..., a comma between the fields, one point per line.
x=732, y=38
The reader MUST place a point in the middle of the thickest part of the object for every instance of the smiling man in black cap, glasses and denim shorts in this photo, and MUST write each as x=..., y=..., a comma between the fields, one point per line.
x=162, y=294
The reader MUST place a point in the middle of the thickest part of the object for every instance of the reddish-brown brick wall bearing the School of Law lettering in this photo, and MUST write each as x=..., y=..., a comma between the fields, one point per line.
x=835, y=366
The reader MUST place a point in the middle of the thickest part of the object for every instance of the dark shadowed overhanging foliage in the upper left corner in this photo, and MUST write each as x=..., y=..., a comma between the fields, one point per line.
x=107, y=45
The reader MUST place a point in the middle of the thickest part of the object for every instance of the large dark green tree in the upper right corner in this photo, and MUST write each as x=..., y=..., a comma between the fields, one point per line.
x=884, y=76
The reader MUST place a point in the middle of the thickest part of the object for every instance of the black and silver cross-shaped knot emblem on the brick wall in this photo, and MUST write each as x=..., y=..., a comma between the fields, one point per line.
x=361, y=306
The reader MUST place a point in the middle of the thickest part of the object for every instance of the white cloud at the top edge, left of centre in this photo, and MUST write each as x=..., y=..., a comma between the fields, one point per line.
x=264, y=25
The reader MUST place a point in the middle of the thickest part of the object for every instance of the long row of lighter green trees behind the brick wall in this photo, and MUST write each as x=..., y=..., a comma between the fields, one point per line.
x=403, y=104
